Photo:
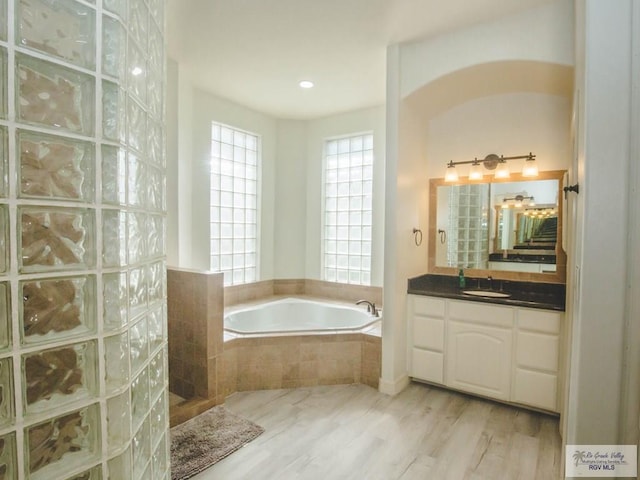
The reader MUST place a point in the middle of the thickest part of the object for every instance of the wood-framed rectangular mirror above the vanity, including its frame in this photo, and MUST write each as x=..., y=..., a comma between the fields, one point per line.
x=509, y=229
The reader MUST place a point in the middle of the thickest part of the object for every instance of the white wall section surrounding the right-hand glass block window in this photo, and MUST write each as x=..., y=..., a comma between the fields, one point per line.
x=371, y=119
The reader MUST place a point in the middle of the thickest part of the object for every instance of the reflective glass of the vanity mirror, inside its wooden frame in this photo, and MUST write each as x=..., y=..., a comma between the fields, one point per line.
x=506, y=226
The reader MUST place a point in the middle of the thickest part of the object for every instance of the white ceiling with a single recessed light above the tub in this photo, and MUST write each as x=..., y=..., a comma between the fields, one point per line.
x=254, y=52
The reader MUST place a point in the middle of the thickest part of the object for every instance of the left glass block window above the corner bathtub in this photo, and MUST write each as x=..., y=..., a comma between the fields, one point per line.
x=235, y=159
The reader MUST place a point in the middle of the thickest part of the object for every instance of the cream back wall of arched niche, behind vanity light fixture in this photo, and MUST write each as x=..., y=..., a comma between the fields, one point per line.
x=511, y=124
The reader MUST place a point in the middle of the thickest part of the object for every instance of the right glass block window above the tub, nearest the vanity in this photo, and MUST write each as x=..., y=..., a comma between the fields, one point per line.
x=348, y=187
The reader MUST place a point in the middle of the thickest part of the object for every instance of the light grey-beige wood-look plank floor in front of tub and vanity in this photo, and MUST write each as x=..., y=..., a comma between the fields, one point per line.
x=354, y=432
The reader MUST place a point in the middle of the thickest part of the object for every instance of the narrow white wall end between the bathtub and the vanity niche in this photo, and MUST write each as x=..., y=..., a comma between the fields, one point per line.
x=406, y=208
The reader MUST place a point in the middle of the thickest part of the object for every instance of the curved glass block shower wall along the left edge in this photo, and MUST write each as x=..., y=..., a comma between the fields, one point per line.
x=83, y=342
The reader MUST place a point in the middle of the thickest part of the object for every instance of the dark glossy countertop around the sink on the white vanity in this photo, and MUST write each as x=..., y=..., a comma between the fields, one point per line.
x=548, y=296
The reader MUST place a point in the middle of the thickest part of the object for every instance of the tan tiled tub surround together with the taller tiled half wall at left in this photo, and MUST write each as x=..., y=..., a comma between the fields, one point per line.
x=206, y=365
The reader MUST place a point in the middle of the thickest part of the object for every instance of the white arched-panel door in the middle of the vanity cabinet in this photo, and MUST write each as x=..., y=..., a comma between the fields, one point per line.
x=479, y=359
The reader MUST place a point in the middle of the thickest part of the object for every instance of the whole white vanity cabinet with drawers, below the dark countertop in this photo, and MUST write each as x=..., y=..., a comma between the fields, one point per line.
x=497, y=351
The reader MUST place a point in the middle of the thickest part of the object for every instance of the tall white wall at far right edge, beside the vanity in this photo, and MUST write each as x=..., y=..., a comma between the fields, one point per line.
x=604, y=260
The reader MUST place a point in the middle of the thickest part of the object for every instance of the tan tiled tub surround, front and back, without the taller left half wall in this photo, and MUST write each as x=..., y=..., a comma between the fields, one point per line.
x=256, y=362
